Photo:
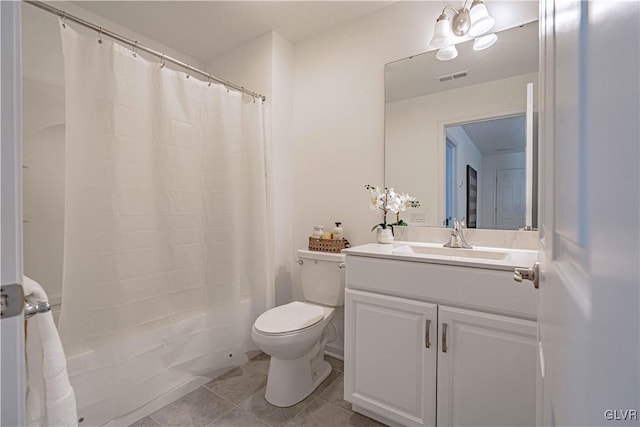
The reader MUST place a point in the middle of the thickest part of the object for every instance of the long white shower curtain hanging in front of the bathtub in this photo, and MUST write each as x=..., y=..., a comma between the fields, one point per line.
x=166, y=254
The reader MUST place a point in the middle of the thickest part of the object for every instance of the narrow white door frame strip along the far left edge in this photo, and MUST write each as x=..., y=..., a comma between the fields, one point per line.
x=11, y=333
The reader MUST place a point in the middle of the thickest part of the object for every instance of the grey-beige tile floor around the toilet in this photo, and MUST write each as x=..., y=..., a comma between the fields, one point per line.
x=237, y=399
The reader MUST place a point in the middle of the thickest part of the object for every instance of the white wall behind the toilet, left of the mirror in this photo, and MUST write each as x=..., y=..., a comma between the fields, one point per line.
x=338, y=116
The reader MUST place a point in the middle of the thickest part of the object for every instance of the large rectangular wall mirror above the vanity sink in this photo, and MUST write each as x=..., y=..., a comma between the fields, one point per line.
x=419, y=108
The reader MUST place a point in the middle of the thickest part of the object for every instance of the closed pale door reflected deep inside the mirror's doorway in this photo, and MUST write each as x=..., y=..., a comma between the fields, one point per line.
x=510, y=199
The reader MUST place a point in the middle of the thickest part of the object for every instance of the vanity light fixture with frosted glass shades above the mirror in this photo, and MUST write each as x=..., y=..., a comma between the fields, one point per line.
x=474, y=22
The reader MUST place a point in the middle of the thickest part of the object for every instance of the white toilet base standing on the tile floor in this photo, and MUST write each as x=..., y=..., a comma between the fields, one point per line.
x=291, y=381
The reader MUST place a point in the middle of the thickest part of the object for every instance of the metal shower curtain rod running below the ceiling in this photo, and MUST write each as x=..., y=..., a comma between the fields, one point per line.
x=134, y=44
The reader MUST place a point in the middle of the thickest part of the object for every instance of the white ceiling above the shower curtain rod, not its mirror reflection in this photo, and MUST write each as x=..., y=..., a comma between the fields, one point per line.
x=205, y=29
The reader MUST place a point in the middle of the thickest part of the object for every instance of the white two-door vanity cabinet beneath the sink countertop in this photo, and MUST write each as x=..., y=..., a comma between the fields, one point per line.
x=420, y=351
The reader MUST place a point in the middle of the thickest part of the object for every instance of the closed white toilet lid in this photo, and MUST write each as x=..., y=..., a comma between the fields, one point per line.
x=289, y=317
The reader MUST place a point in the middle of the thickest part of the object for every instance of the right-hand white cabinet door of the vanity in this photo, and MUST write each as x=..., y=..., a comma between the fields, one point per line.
x=486, y=369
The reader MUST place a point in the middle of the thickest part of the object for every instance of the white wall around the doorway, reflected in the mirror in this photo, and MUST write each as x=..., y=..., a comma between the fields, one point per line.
x=416, y=126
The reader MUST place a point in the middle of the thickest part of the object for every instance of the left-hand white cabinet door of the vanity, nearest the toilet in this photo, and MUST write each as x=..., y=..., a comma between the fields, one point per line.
x=390, y=354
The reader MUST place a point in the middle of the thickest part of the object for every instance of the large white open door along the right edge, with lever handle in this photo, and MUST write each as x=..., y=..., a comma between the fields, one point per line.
x=589, y=323
